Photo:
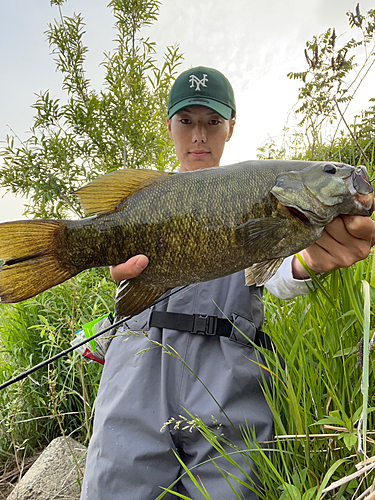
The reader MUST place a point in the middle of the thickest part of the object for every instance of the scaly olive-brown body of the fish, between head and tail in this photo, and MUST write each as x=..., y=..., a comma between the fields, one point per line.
x=173, y=220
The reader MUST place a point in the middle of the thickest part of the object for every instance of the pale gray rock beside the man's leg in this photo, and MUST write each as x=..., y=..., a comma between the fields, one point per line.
x=54, y=476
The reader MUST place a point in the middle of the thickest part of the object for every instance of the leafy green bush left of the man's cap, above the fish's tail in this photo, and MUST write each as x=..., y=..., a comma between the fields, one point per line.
x=94, y=132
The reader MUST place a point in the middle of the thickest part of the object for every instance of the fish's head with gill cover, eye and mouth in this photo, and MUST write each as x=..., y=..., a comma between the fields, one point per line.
x=322, y=191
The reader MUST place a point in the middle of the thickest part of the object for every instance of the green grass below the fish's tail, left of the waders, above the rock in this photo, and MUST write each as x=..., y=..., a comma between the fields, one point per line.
x=65, y=391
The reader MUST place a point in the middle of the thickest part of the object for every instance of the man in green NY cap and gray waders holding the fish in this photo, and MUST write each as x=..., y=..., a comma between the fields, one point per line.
x=129, y=457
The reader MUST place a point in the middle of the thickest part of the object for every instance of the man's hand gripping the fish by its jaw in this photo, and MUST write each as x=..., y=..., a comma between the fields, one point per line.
x=345, y=241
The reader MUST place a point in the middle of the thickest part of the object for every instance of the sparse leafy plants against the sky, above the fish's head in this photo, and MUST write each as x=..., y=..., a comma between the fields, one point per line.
x=329, y=84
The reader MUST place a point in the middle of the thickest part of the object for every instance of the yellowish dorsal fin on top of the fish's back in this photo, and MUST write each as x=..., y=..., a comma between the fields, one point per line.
x=106, y=192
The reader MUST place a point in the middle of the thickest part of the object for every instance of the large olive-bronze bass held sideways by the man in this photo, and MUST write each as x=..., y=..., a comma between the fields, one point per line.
x=193, y=226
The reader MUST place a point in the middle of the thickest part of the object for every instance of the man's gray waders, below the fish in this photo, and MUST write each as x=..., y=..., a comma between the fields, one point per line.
x=129, y=458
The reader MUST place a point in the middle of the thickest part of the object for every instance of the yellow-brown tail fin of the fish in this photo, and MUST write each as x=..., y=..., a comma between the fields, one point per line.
x=30, y=250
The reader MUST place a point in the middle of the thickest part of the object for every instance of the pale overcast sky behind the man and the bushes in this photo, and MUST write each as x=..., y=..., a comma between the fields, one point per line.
x=254, y=43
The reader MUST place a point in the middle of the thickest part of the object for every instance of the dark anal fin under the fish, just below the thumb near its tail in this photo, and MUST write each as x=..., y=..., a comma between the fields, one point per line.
x=134, y=296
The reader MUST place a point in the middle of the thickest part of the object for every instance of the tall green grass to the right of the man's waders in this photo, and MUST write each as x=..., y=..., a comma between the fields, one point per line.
x=319, y=392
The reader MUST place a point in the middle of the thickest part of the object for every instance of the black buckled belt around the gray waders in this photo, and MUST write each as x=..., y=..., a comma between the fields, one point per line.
x=202, y=325
